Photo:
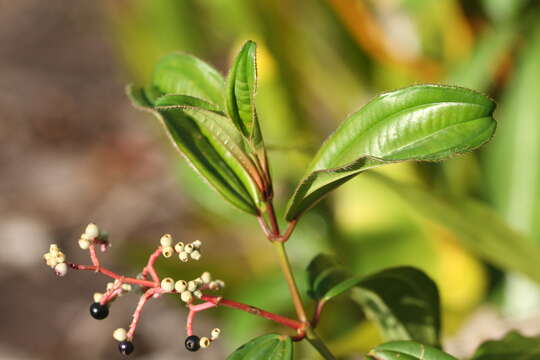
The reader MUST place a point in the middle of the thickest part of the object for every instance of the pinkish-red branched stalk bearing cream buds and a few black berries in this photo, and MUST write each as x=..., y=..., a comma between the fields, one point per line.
x=148, y=281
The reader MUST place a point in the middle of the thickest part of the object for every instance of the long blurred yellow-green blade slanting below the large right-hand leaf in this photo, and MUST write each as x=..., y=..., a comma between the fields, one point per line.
x=477, y=227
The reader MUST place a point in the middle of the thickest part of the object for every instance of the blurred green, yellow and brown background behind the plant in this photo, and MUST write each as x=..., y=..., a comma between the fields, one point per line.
x=72, y=150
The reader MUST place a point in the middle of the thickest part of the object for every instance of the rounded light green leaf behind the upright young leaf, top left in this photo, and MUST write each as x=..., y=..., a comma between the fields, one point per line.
x=183, y=74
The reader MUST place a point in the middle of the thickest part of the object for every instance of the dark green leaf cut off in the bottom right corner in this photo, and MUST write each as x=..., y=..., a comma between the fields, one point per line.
x=512, y=346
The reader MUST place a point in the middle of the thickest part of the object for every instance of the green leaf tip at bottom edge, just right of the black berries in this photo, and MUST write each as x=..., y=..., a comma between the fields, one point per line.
x=265, y=347
